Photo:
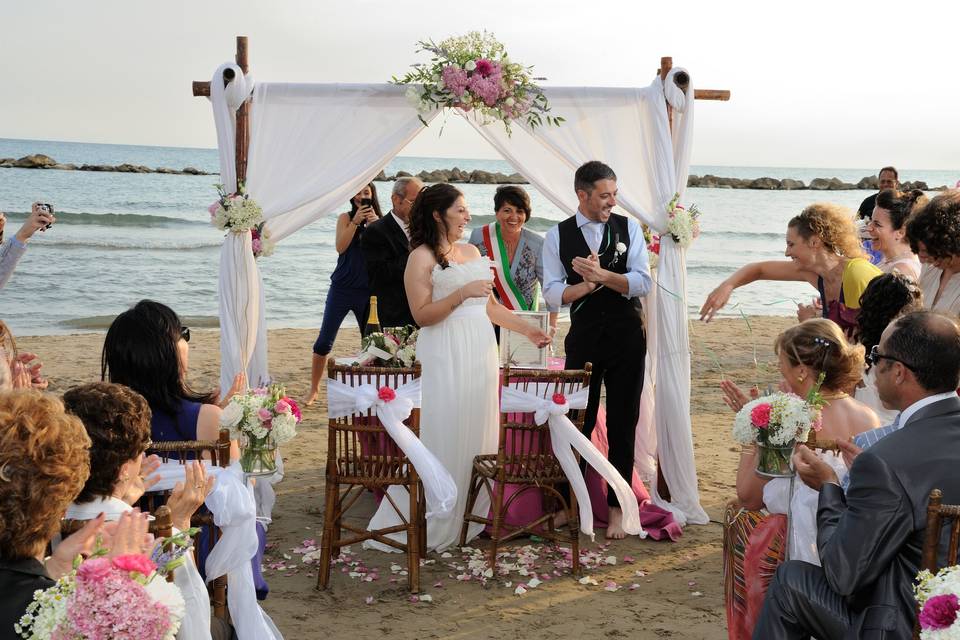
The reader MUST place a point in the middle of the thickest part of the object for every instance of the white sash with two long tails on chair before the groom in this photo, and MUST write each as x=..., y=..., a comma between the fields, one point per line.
x=564, y=437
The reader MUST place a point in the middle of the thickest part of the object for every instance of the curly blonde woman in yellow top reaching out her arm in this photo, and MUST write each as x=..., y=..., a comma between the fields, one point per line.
x=825, y=251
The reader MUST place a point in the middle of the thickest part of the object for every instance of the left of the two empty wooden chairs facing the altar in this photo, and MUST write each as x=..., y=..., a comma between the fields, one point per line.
x=362, y=456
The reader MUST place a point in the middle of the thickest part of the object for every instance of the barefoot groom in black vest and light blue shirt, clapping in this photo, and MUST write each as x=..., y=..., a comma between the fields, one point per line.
x=596, y=262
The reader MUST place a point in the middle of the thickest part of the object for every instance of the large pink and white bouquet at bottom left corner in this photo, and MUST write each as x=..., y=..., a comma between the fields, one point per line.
x=121, y=597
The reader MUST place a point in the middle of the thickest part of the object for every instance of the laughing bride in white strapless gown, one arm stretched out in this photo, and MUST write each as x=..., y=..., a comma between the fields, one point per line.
x=449, y=288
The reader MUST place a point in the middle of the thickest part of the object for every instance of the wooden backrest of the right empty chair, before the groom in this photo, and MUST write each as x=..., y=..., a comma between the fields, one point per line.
x=524, y=446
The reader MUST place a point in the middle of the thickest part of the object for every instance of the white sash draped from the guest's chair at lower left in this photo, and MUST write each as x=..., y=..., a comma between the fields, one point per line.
x=234, y=511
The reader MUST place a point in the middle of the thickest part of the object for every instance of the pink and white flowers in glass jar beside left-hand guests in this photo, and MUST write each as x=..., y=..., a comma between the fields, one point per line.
x=261, y=419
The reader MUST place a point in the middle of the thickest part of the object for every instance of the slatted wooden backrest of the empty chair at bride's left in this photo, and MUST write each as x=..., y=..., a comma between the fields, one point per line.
x=359, y=448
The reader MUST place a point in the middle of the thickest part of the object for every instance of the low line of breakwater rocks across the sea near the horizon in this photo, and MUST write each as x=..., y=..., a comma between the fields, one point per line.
x=478, y=176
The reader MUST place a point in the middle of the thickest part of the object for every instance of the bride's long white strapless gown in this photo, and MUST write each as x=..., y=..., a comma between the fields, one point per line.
x=459, y=415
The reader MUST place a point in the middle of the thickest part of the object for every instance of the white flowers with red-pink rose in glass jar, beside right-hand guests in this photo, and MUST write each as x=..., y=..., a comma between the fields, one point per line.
x=775, y=423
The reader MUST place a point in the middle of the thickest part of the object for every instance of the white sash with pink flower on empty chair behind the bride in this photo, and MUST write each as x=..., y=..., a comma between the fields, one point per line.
x=343, y=400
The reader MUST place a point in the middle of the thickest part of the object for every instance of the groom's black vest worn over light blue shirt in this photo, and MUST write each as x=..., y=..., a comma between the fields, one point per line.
x=604, y=308
